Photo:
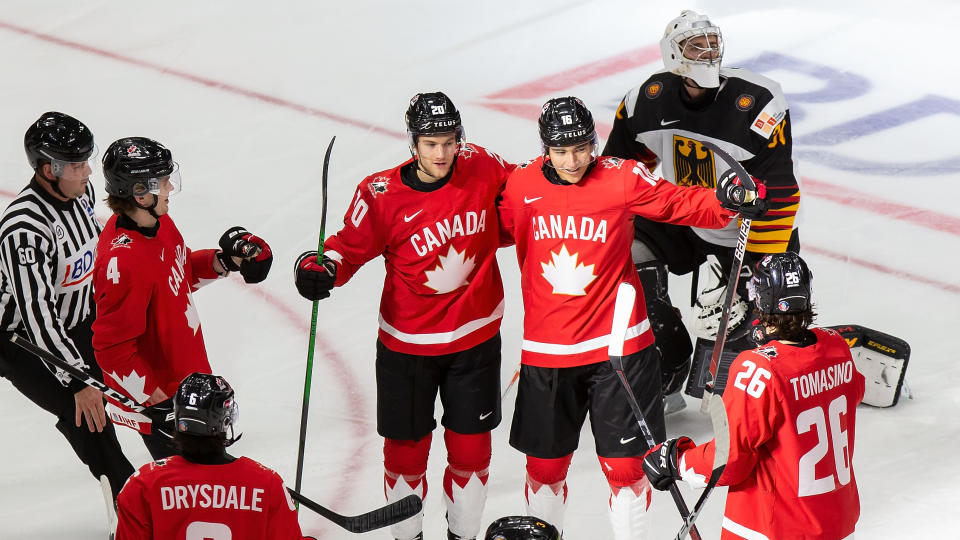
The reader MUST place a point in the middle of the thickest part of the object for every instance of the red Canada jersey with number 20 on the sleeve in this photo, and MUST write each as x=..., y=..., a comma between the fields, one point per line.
x=442, y=292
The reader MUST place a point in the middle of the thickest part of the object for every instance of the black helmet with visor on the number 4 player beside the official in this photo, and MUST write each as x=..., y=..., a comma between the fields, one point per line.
x=134, y=166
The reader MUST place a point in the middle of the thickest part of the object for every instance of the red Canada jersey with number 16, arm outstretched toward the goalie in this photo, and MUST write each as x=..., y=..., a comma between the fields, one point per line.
x=573, y=246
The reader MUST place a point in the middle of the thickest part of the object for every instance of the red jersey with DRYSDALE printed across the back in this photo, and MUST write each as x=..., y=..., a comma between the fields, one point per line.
x=174, y=499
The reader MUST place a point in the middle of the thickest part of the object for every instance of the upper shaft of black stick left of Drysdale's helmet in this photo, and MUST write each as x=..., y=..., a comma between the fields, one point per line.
x=159, y=415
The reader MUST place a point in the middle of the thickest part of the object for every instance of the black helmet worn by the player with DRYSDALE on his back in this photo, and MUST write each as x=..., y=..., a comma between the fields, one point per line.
x=204, y=406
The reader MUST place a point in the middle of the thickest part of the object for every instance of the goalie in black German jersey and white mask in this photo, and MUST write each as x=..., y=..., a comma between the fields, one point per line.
x=662, y=121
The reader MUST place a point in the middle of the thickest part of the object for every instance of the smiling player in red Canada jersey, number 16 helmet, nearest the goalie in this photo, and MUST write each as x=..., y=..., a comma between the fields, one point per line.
x=569, y=212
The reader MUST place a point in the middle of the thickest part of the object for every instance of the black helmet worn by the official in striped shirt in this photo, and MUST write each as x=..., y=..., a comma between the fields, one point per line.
x=58, y=138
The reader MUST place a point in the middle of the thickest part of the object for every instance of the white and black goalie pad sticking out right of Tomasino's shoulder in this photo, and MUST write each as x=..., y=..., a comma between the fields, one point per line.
x=882, y=360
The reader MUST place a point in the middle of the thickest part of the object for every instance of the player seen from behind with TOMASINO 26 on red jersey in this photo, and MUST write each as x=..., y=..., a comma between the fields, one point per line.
x=791, y=408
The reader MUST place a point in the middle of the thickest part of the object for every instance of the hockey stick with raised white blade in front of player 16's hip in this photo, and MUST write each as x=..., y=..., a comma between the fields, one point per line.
x=626, y=297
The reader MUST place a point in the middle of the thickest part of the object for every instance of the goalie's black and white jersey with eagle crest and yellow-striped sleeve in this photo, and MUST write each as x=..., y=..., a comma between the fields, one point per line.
x=747, y=116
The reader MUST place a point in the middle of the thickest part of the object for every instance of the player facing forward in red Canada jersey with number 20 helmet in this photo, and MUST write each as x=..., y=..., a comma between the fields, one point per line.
x=434, y=220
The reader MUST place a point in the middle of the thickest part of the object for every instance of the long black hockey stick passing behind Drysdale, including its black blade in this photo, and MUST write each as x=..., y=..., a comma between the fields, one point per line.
x=381, y=517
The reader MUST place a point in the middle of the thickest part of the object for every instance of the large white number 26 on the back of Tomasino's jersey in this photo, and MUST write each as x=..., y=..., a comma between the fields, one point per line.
x=835, y=438
